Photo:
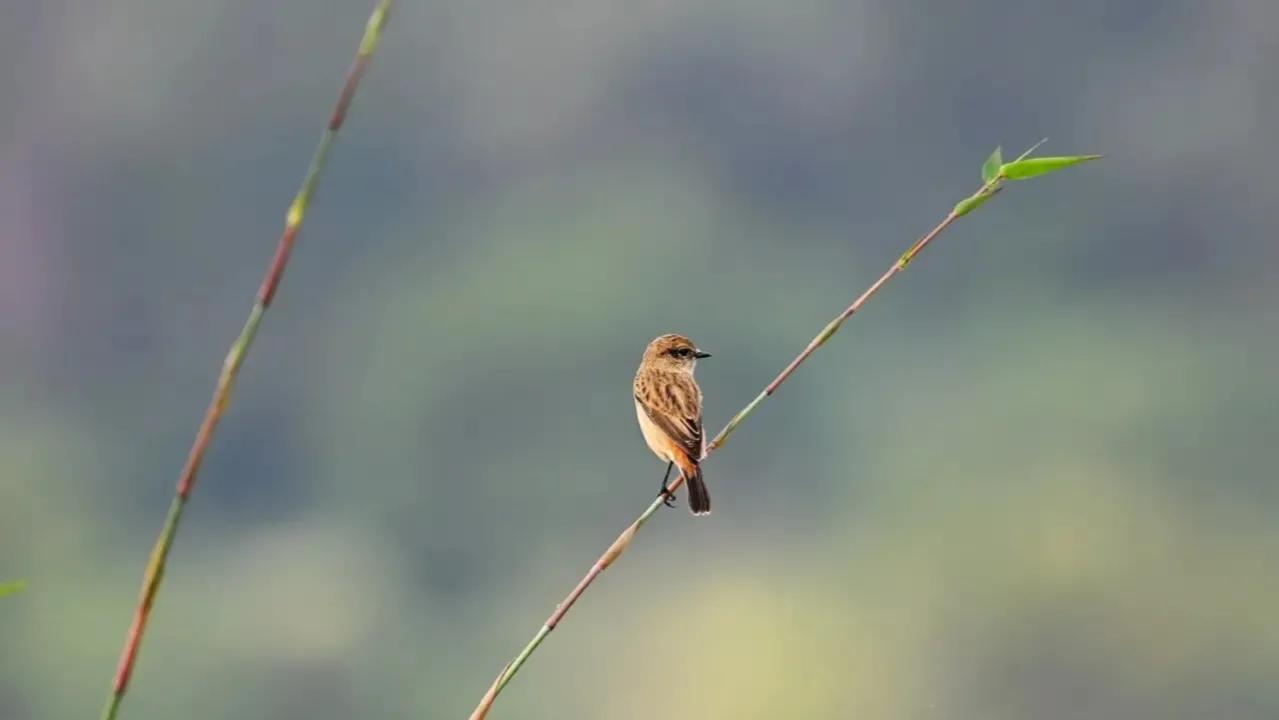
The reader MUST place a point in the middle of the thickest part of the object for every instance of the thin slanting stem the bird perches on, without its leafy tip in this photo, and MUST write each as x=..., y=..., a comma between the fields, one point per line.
x=624, y=540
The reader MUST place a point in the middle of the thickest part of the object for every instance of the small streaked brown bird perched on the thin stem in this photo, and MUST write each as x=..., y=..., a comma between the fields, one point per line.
x=670, y=409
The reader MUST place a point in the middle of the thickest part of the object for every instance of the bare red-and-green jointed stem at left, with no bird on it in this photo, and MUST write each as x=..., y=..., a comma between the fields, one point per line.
x=235, y=361
